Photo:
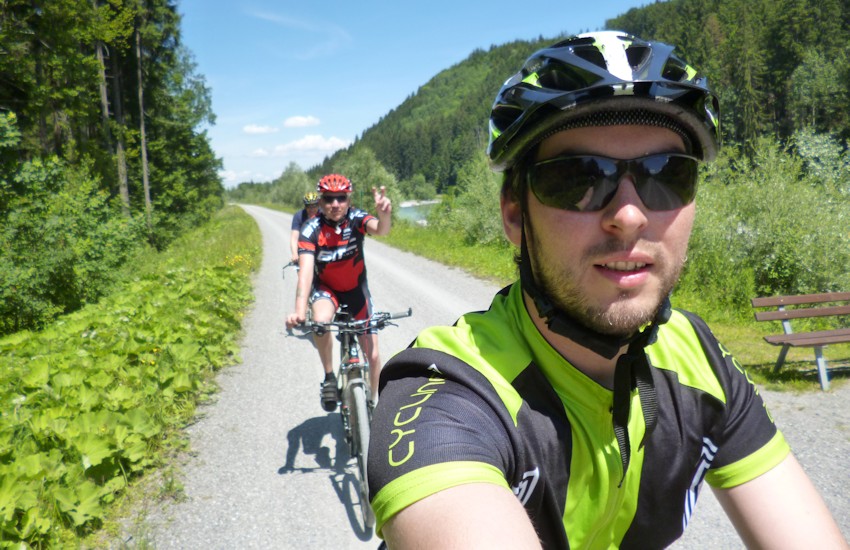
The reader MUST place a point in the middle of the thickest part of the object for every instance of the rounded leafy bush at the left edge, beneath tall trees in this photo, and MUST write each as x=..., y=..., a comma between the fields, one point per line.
x=60, y=242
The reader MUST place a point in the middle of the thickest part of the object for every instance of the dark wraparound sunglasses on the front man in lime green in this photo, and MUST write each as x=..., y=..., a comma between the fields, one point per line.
x=586, y=183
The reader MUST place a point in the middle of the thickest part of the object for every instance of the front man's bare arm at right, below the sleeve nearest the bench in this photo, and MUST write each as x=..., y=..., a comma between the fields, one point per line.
x=781, y=509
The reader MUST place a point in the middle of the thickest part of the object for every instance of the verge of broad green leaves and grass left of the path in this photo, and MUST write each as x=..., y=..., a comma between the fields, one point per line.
x=99, y=398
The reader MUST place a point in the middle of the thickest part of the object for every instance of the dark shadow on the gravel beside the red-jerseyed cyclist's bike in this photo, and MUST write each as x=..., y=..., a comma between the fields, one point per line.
x=323, y=439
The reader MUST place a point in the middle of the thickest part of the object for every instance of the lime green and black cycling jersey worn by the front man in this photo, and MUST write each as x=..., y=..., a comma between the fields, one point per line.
x=489, y=400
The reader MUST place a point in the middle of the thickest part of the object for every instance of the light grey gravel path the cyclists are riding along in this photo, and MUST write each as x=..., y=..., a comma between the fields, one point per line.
x=263, y=471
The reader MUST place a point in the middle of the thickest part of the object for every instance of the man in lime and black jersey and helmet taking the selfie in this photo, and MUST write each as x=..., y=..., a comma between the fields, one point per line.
x=580, y=410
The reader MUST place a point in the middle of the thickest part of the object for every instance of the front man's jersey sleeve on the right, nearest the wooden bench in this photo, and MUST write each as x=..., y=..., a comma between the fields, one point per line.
x=749, y=443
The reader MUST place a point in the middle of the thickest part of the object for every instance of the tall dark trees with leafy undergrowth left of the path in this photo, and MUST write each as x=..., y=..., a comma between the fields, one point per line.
x=101, y=148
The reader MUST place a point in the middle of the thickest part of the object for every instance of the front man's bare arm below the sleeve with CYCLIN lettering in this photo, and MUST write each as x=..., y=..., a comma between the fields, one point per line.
x=471, y=516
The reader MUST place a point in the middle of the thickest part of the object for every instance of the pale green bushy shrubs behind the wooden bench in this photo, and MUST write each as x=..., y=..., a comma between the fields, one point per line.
x=766, y=226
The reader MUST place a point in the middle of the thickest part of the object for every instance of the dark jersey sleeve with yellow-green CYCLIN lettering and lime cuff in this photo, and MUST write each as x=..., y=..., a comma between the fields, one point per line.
x=431, y=431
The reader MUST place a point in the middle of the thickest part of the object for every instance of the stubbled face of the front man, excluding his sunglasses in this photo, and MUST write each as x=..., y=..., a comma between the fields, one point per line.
x=610, y=268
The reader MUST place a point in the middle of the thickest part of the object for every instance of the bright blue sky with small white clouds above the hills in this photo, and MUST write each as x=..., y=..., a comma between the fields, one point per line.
x=294, y=81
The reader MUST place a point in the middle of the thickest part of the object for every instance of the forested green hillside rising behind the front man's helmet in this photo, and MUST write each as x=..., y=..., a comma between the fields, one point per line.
x=778, y=66
